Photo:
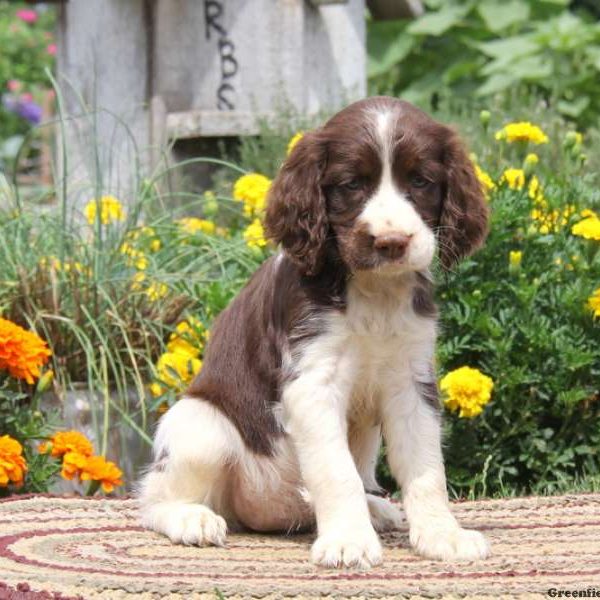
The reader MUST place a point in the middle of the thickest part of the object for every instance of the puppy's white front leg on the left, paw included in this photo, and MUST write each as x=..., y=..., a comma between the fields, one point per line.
x=315, y=411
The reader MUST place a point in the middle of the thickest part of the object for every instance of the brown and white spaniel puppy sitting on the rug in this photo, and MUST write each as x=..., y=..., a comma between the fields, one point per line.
x=329, y=348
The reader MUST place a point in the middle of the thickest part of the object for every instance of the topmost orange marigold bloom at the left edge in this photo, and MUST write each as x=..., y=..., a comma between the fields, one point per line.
x=22, y=352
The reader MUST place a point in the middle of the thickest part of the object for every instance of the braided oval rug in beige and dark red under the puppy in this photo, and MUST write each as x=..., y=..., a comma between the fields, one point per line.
x=66, y=547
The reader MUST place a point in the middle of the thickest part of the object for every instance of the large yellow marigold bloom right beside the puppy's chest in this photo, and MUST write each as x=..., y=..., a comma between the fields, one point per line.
x=467, y=390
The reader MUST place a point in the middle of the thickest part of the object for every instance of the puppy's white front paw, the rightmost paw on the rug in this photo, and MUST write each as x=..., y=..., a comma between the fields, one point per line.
x=449, y=543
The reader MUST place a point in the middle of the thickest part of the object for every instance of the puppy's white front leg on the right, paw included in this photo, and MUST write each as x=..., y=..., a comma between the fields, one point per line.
x=413, y=436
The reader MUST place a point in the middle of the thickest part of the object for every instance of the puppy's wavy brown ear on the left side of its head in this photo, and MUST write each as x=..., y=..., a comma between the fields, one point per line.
x=296, y=215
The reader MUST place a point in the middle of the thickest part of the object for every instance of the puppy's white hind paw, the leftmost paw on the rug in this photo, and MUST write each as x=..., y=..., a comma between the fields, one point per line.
x=195, y=524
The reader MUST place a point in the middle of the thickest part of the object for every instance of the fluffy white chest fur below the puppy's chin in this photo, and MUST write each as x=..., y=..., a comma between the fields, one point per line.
x=378, y=346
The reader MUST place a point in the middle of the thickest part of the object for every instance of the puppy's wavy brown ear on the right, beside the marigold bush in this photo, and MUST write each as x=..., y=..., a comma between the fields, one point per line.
x=464, y=218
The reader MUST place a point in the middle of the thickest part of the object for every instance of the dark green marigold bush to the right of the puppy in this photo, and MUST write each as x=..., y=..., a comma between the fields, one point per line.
x=528, y=324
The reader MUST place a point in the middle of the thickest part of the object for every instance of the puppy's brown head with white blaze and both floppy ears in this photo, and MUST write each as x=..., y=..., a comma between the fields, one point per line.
x=380, y=186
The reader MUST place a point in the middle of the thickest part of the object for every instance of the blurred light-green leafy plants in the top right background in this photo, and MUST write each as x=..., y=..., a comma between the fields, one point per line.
x=480, y=48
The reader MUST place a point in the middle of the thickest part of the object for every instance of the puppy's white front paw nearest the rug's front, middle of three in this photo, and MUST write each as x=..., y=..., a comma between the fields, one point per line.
x=347, y=548
